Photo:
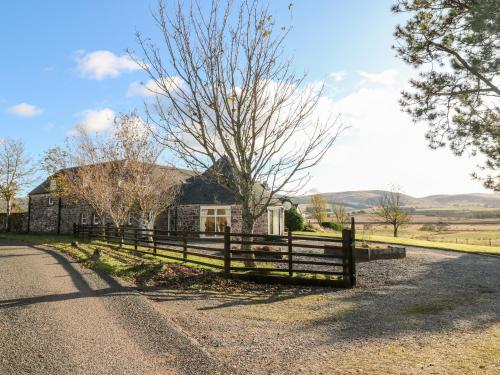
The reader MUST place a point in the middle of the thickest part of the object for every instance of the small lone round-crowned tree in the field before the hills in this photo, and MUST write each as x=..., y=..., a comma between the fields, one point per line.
x=391, y=210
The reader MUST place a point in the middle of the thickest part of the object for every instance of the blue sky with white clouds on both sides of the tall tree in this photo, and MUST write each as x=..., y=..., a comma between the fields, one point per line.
x=64, y=63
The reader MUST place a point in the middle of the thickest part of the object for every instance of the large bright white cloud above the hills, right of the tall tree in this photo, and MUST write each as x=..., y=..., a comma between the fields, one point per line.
x=384, y=147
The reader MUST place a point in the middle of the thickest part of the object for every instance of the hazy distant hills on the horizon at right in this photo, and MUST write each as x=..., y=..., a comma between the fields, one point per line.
x=368, y=198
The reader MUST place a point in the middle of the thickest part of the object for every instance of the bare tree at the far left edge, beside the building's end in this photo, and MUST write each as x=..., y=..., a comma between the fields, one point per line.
x=16, y=172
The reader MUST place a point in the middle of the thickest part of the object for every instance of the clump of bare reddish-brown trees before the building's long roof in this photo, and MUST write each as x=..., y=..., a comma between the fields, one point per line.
x=116, y=173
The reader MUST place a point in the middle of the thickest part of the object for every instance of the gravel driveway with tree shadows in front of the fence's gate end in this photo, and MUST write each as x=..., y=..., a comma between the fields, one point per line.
x=434, y=312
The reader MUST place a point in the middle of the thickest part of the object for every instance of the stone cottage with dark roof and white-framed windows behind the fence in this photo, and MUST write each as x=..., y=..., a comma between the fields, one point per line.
x=202, y=205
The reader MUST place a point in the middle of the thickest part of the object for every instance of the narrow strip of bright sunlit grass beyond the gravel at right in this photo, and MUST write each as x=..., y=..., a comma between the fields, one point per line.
x=478, y=249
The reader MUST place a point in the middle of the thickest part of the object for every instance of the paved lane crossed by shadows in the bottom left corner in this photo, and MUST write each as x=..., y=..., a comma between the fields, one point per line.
x=57, y=318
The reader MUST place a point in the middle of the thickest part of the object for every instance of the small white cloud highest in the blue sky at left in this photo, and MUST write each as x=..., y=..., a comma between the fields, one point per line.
x=103, y=64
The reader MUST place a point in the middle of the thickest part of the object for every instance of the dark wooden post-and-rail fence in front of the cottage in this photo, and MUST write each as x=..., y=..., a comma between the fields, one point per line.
x=291, y=258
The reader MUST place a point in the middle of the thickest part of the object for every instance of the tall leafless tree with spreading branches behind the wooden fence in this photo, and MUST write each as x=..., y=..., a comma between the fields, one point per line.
x=226, y=98
